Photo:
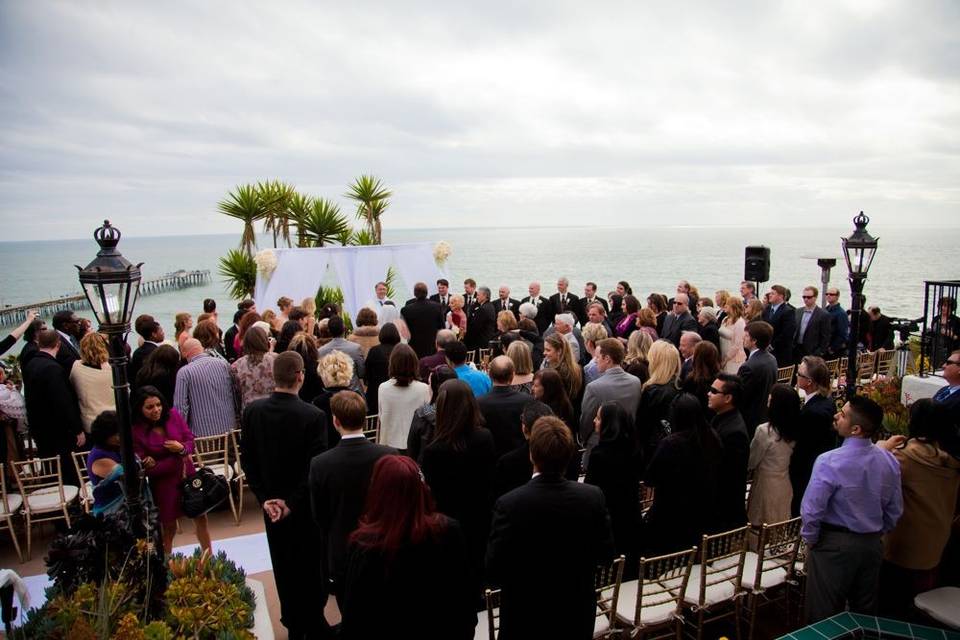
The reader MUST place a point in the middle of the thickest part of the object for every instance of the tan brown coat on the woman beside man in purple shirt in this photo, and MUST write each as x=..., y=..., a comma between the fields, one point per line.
x=930, y=478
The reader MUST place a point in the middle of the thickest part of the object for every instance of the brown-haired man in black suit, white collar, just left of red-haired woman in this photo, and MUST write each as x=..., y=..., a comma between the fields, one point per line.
x=339, y=479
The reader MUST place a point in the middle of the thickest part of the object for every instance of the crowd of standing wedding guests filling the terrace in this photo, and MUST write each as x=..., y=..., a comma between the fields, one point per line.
x=489, y=410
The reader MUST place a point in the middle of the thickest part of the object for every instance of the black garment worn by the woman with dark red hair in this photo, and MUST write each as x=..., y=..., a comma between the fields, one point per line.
x=422, y=592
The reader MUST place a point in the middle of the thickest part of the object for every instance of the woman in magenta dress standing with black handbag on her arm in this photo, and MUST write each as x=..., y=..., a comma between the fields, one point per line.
x=164, y=443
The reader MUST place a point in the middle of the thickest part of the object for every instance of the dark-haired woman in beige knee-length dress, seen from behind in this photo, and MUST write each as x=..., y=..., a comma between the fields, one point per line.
x=770, y=451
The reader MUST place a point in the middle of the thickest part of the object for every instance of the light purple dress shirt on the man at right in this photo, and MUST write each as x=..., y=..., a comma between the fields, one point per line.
x=856, y=486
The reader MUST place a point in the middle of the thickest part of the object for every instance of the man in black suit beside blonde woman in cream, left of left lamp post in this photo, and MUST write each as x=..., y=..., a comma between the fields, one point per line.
x=52, y=409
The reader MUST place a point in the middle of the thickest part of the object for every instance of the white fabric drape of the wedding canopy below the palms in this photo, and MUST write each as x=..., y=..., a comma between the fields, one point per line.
x=300, y=272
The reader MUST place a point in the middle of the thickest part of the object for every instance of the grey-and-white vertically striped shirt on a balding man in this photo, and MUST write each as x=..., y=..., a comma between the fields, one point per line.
x=206, y=396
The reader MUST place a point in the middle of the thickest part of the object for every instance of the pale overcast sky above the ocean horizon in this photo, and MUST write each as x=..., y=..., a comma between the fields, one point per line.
x=637, y=114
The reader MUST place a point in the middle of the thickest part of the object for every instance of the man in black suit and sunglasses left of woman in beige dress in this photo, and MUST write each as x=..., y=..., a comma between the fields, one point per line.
x=722, y=398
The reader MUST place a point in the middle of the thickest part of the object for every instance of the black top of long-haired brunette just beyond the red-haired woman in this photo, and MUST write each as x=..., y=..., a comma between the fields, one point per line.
x=460, y=481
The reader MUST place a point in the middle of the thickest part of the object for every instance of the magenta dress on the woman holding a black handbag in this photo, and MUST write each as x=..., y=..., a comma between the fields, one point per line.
x=165, y=476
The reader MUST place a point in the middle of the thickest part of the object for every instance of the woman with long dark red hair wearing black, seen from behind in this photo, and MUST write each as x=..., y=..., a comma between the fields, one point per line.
x=407, y=571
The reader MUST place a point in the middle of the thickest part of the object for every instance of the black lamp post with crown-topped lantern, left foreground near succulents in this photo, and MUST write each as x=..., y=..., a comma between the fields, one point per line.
x=112, y=286
